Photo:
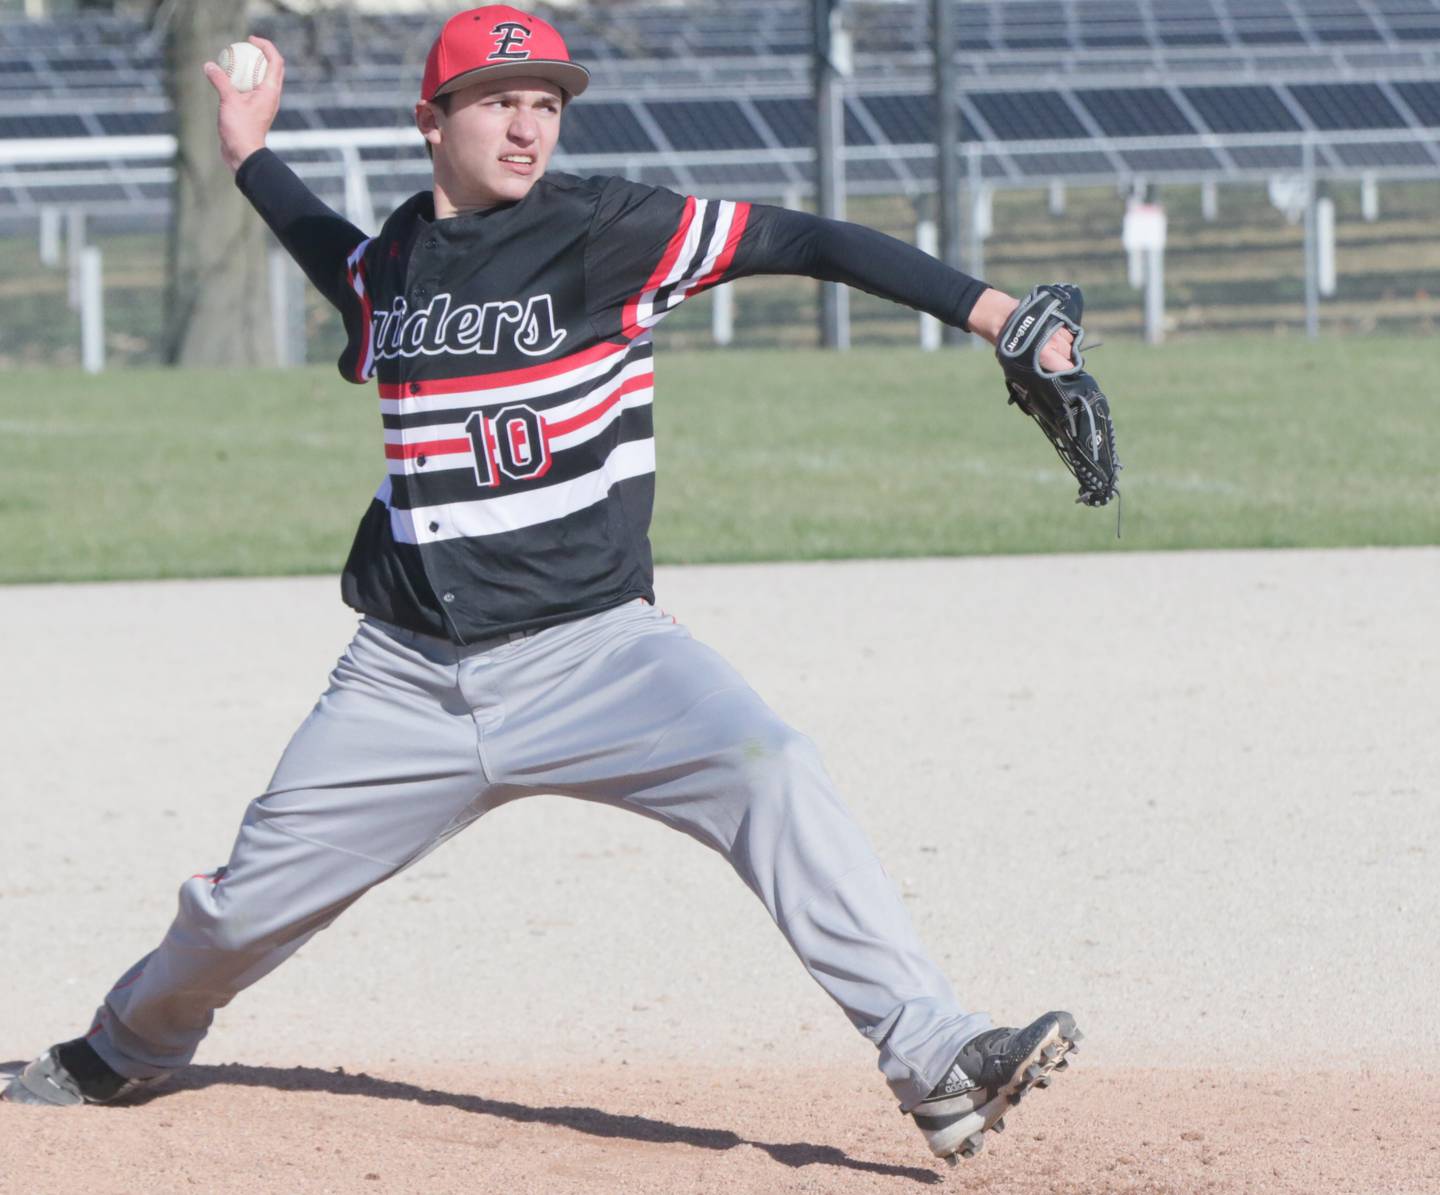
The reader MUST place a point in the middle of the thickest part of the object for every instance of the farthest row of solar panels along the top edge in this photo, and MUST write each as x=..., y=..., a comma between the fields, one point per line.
x=103, y=51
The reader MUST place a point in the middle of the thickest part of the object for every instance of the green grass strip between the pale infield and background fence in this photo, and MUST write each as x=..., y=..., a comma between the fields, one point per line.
x=1264, y=443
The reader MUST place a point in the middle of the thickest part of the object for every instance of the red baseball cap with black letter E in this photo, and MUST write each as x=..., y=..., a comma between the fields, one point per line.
x=499, y=42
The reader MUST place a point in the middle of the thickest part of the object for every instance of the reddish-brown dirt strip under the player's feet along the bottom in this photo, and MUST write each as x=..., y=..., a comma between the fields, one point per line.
x=708, y=1129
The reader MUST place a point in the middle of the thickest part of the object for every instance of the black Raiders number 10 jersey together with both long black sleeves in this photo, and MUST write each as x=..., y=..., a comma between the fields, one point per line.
x=516, y=374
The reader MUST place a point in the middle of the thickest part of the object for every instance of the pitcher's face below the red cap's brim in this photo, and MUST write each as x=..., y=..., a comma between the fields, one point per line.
x=496, y=140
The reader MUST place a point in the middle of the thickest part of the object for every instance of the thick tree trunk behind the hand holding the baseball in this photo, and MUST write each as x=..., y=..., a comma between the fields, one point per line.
x=218, y=307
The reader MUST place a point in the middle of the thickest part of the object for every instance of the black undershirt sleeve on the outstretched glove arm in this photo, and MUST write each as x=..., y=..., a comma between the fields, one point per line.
x=778, y=241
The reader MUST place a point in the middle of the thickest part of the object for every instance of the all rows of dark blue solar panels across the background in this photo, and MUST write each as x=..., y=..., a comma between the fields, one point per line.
x=719, y=103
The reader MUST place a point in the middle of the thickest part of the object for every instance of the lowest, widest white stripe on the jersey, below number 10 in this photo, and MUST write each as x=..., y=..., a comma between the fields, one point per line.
x=526, y=509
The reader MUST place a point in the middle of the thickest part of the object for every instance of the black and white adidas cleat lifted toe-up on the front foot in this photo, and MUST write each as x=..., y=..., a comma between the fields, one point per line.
x=991, y=1073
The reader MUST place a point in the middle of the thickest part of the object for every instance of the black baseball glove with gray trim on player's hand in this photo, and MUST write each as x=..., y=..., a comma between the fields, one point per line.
x=1068, y=405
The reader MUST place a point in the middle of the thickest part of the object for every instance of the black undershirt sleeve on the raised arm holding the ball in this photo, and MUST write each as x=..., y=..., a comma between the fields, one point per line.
x=318, y=237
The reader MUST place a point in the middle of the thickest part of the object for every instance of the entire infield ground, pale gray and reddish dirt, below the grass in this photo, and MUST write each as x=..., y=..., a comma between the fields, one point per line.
x=1193, y=798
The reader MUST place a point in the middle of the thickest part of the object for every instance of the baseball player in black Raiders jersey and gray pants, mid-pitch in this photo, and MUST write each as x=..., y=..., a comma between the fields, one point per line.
x=509, y=640
